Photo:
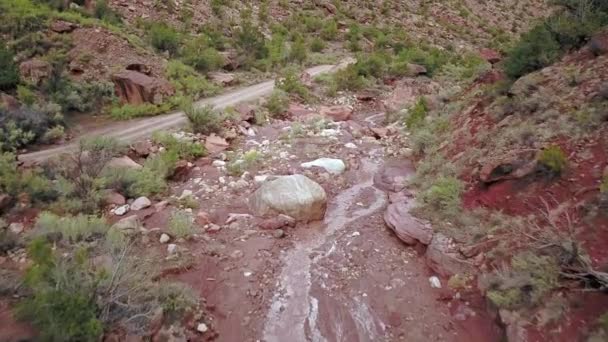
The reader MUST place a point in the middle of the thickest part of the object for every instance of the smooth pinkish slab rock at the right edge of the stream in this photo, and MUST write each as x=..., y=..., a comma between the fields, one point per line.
x=408, y=228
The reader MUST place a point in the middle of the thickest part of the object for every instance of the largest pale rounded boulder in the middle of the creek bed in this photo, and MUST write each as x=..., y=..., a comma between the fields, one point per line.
x=295, y=195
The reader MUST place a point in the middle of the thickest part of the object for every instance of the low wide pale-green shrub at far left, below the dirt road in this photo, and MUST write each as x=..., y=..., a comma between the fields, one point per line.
x=74, y=228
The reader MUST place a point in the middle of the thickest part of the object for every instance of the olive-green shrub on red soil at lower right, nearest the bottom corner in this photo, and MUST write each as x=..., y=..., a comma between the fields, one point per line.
x=529, y=280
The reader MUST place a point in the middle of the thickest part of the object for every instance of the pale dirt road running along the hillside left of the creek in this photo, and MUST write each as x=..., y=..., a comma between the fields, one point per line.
x=130, y=131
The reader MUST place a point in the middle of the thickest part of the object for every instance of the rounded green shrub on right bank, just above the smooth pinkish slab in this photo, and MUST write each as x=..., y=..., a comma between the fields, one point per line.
x=444, y=195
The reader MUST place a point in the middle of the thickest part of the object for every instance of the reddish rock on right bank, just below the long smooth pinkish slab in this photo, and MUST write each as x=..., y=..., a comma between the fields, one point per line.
x=443, y=257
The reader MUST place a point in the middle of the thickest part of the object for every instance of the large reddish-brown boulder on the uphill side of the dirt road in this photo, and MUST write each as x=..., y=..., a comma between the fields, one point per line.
x=137, y=88
